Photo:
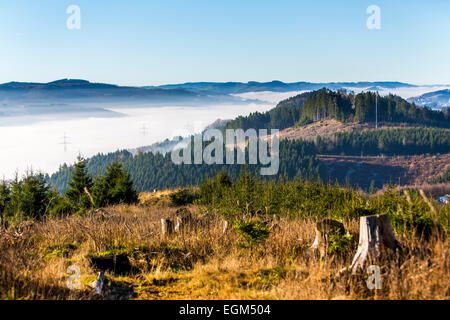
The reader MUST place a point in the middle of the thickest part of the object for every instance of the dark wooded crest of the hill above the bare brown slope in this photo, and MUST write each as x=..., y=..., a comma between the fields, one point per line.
x=345, y=107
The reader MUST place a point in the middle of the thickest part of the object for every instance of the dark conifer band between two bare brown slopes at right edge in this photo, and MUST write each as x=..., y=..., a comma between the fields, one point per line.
x=399, y=141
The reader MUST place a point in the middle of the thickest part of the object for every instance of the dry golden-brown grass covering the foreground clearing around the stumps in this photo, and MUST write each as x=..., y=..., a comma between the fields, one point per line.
x=204, y=263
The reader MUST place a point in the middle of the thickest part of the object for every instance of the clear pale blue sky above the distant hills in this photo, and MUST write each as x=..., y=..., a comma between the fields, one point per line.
x=151, y=42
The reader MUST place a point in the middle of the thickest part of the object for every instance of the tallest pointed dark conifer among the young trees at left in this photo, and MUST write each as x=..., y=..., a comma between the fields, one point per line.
x=77, y=186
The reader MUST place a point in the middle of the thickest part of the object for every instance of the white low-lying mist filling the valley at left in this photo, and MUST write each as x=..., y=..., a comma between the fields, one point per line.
x=36, y=141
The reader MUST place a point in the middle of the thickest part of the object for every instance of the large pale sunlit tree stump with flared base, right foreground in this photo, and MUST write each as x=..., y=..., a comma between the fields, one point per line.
x=376, y=241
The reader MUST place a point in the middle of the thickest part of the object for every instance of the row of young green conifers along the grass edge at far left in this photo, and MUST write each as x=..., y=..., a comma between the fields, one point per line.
x=32, y=197
